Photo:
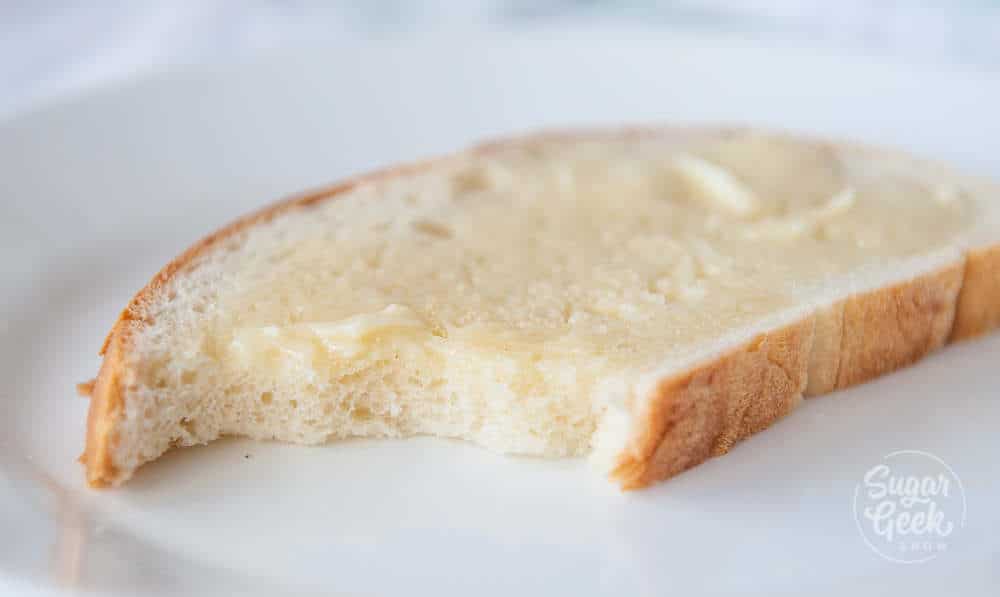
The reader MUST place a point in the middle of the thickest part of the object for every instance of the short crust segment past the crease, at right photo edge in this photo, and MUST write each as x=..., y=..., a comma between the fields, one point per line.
x=979, y=301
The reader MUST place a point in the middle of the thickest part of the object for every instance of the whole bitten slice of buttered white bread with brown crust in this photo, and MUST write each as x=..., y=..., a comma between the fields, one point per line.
x=648, y=298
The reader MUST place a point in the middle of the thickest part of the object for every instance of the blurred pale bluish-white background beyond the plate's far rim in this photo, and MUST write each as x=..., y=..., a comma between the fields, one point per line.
x=50, y=48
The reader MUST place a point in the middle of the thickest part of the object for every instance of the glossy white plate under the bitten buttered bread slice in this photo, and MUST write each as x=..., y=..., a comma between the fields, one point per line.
x=98, y=192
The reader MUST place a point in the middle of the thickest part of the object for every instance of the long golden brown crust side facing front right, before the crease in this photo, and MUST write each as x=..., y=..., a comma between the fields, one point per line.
x=705, y=411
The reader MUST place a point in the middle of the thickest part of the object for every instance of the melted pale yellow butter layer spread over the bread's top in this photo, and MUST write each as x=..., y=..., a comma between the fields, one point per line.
x=592, y=253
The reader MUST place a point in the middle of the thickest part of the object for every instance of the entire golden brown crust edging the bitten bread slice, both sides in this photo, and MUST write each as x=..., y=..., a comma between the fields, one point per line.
x=691, y=415
